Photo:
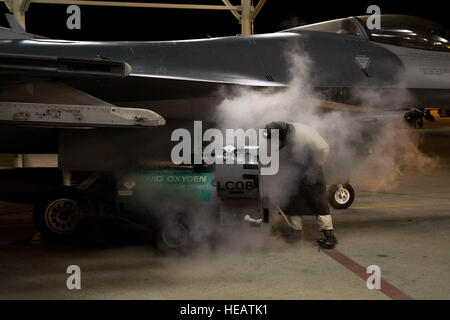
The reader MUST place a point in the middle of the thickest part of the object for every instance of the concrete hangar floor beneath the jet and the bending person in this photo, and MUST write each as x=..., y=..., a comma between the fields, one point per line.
x=404, y=231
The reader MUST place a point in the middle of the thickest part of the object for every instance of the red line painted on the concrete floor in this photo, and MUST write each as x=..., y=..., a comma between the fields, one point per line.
x=387, y=288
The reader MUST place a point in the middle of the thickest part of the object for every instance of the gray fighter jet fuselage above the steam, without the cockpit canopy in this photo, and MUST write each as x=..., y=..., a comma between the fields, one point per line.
x=174, y=70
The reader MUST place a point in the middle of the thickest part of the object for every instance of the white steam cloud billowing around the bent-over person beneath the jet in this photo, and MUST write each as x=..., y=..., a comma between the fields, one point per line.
x=374, y=152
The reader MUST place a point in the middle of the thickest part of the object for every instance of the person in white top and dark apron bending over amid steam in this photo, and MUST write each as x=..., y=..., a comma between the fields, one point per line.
x=302, y=154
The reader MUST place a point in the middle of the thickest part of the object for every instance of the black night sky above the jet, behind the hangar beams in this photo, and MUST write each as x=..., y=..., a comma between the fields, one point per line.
x=108, y=23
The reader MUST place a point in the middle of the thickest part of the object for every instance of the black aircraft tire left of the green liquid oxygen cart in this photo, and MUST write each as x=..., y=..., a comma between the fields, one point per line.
x=59, y=216
